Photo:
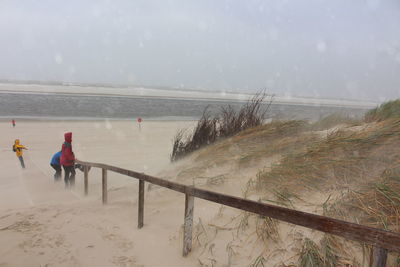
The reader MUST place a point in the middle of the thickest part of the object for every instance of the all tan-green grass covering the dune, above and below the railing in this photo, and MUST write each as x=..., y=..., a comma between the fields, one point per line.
x=354, y=169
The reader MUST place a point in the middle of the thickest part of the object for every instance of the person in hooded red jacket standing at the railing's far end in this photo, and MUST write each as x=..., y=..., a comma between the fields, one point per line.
x=67, y=160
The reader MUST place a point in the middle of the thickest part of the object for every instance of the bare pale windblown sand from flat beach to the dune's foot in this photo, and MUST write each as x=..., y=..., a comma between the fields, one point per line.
x=42, y=224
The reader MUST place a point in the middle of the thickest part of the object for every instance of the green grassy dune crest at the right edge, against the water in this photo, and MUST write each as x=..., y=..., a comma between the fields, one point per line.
x=390, y=109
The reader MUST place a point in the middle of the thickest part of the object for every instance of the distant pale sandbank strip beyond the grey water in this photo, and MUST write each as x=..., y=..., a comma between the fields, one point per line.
x=173, y=94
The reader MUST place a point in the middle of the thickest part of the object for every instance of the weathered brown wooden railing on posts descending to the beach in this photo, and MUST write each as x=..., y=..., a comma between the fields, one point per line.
x=381, y=240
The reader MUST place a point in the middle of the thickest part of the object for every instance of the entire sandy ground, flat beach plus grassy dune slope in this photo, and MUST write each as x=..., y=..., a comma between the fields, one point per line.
x=43, y=224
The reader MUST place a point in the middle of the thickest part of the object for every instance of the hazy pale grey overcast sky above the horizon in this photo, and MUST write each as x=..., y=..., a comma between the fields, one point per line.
x=319, y=48
